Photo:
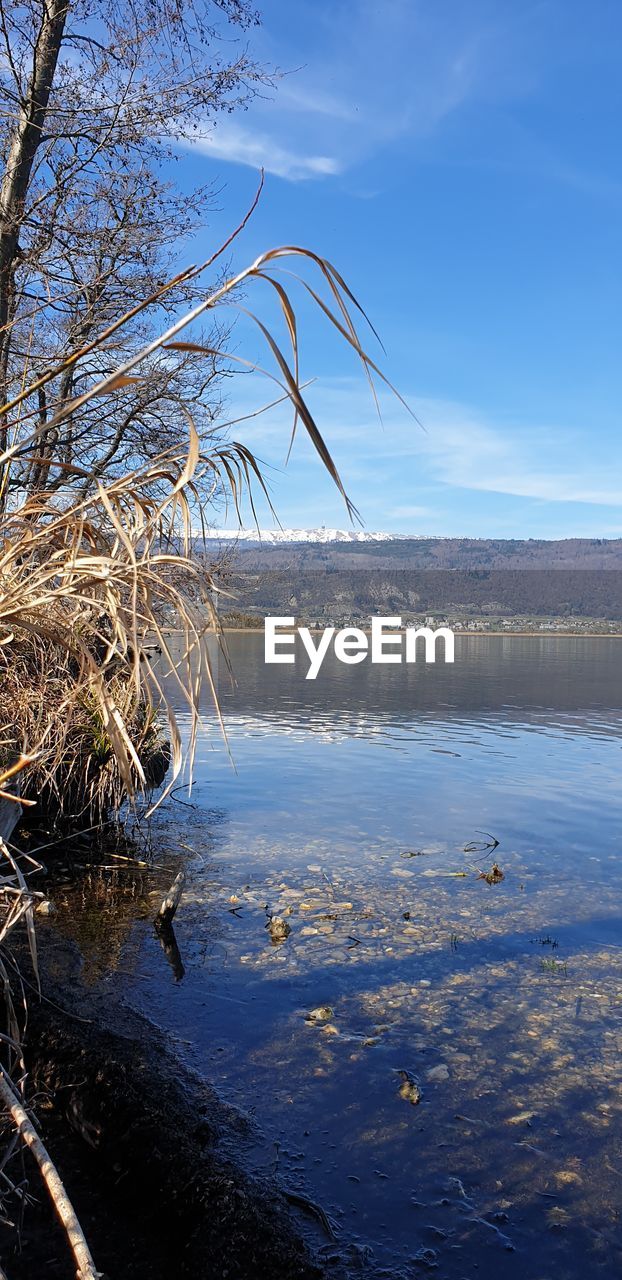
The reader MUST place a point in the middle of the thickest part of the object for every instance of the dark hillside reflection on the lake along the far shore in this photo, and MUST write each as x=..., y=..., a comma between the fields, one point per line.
x=548, y=683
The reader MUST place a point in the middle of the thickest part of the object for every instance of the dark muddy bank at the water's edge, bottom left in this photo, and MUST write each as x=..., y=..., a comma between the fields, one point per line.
x=148, y=1153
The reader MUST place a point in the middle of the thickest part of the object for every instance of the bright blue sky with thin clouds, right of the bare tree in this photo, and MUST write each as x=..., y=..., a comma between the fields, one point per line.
x=461, y=166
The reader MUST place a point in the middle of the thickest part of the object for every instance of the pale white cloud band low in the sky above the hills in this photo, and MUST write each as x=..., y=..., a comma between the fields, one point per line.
x=461, y=447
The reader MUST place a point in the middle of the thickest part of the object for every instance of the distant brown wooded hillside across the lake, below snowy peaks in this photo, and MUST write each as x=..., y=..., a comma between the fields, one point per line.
x=455, y=580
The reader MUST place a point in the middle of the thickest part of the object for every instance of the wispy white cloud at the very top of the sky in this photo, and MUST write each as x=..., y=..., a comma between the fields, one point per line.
x=372, y=75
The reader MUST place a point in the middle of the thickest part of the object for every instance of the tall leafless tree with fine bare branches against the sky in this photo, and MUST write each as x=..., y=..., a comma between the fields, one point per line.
x=95, y=99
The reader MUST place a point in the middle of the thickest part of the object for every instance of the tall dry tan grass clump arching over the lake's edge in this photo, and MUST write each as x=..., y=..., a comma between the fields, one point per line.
x=83, y=584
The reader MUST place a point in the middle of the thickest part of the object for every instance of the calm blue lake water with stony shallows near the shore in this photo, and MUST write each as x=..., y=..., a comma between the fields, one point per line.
x=359, y=811
